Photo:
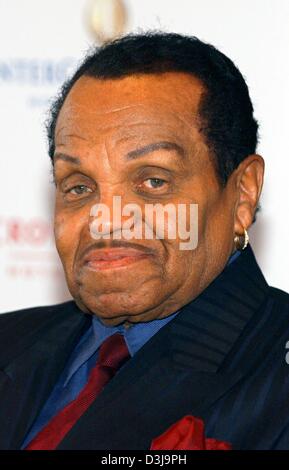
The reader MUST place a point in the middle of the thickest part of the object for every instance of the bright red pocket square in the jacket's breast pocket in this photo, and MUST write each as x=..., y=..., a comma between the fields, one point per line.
x=187, y=434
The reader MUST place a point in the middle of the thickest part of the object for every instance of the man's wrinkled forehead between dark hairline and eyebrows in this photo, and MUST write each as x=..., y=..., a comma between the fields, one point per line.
x=165, y=101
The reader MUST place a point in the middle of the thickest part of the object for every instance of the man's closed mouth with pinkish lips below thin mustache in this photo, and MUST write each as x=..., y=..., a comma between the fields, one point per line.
x=112, y=258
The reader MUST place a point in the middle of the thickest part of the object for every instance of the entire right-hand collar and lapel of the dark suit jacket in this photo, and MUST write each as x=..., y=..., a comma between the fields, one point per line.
x=180, y=370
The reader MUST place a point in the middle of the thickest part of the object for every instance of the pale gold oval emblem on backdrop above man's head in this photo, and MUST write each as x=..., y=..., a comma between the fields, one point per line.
x=107, y=19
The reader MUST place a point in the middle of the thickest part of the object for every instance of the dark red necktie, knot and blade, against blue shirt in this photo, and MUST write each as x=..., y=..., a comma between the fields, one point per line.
x=112, y=354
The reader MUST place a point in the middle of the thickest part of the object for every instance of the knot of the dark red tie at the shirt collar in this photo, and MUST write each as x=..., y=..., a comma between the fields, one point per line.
x=113, y=352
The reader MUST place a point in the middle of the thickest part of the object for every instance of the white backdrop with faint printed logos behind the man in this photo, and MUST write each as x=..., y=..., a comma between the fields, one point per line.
x=40, y=41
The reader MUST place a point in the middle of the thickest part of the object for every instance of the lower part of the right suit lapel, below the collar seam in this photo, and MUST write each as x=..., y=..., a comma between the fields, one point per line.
x=149, y=394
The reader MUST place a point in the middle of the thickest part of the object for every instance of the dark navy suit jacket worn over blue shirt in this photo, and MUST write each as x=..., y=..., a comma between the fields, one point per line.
x=222, y=358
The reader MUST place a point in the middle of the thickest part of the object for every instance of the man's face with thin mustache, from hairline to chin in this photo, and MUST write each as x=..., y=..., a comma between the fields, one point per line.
x=137, y=138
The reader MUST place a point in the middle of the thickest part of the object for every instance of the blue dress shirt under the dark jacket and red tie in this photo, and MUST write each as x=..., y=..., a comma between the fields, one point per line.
x=84, y=356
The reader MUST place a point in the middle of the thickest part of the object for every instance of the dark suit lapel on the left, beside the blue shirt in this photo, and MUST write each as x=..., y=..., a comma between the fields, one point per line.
x=26, y=382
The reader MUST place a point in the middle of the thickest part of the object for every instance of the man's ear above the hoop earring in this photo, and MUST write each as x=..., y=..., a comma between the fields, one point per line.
x=249, y=179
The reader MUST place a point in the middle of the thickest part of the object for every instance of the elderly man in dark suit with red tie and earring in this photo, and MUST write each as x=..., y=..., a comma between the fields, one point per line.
x=160, y=336
